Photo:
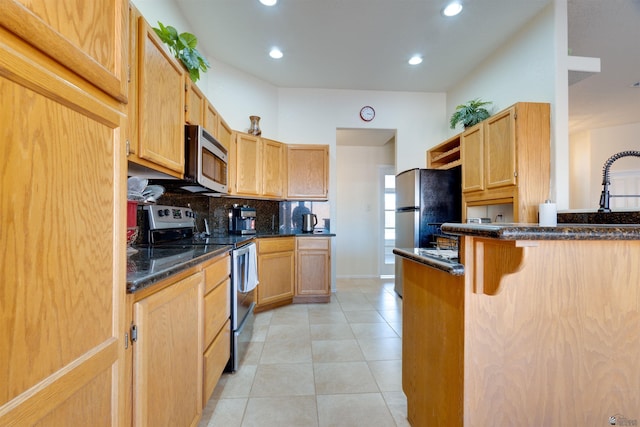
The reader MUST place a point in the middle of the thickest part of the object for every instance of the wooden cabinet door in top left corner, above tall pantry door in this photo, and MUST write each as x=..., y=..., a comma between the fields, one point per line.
x=86, y=37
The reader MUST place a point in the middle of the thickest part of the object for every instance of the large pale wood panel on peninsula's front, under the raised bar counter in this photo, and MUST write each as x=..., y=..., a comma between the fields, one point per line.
x=558, y=343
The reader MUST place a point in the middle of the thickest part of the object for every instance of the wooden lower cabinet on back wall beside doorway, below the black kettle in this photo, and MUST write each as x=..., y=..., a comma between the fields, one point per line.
x=313, y=269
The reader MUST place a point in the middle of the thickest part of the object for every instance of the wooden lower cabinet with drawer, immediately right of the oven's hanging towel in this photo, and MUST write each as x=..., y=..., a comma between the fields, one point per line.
x=276, y=272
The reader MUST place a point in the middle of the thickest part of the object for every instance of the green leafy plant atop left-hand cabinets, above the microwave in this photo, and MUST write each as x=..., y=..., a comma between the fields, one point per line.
x=183, y=47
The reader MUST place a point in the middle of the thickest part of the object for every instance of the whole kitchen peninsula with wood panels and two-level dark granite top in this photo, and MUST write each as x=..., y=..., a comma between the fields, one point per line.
x=539, y=328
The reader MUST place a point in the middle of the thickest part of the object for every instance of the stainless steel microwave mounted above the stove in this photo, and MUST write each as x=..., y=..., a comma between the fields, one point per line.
x=205, y=159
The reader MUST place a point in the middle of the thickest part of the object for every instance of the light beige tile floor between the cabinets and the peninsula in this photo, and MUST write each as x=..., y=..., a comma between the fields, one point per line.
x=320, y=365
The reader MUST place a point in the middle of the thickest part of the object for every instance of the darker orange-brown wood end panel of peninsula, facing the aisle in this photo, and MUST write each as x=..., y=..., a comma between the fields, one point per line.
x=432, y=346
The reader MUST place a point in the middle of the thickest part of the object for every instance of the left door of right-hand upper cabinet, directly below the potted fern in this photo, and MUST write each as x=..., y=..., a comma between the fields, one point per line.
x=472, y=151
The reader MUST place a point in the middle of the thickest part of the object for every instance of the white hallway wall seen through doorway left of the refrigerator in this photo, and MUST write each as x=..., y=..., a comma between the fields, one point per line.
x=358, y=239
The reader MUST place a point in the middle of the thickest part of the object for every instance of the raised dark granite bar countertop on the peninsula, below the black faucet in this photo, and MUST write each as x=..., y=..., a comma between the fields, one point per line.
x=521, y=231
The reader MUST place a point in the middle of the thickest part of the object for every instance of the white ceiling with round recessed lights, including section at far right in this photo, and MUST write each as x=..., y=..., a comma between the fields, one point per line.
x=365, y=44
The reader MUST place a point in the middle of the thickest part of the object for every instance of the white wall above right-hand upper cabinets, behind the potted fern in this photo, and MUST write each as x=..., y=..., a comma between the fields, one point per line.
x=523, y=69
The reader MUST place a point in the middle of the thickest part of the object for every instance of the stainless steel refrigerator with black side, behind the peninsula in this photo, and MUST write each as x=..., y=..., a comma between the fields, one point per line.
x=425, y=198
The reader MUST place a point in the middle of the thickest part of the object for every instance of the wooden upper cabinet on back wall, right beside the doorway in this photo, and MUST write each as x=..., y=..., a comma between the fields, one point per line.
x=307, y=172
